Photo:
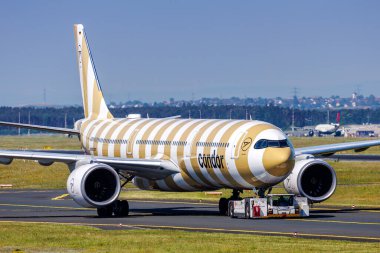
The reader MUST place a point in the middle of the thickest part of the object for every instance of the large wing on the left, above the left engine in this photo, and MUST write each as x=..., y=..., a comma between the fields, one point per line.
x=147, y=168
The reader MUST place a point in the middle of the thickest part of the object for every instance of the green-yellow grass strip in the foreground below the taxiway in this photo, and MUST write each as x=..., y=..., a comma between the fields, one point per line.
x=65, y=238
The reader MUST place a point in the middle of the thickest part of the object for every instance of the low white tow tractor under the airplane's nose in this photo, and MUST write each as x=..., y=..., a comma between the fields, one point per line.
x=271, y=206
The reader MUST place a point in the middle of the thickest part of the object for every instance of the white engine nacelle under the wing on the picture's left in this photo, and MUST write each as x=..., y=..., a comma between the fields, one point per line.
x=94, y=185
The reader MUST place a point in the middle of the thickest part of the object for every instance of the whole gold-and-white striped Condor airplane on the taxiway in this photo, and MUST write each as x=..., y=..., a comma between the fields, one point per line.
x=181, y=155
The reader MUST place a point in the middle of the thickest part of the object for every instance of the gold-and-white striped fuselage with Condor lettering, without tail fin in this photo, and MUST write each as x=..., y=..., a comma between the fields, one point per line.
x=210, y=154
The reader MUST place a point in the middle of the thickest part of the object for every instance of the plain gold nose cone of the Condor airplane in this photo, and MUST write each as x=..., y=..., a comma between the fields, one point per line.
x=278, y=161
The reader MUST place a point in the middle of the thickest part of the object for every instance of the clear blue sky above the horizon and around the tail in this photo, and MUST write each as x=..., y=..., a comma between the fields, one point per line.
x=154, y=50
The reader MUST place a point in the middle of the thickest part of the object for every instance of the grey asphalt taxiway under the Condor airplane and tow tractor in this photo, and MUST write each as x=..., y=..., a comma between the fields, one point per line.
x=327, y=223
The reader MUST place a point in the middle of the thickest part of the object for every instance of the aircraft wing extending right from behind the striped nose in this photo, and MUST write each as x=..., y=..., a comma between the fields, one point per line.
x=330, y=149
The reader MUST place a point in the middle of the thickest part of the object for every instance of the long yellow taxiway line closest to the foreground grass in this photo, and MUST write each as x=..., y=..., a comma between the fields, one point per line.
x=260, y=232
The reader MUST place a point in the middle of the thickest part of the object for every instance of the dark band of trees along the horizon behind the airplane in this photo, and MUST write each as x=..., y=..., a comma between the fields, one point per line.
x=279, y=116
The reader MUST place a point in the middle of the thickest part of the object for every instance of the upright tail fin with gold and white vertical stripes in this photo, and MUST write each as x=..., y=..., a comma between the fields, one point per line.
x=94, y=105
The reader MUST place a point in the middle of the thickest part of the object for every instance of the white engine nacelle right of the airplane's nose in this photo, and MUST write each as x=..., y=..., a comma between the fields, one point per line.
x=312, y=178
